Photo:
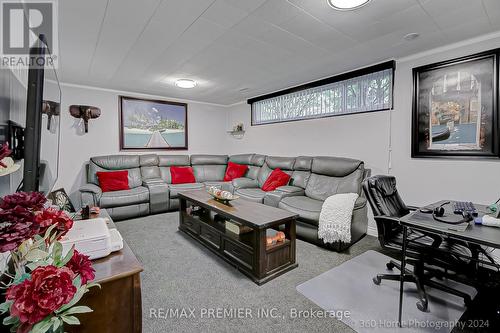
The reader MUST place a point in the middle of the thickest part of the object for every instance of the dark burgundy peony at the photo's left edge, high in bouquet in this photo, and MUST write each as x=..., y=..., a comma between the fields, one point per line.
x=16, y=226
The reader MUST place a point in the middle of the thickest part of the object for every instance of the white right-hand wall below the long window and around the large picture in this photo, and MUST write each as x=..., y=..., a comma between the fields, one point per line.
x=366, y=137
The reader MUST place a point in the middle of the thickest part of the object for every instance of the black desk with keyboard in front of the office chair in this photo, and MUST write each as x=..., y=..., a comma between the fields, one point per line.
x=477, y=234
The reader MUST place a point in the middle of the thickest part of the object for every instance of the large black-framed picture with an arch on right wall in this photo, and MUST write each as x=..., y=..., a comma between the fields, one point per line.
x=455, y=108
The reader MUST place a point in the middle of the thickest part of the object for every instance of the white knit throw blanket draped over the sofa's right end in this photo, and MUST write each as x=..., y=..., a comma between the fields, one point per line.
x=335, y=218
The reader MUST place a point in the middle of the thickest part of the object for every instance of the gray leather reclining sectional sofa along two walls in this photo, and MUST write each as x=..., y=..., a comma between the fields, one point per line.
x=313, y=179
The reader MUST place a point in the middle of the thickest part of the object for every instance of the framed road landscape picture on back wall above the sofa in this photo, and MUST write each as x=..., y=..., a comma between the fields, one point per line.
x=152, y=124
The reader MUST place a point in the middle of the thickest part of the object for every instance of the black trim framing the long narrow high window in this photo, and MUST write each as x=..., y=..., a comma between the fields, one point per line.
x=336, y=78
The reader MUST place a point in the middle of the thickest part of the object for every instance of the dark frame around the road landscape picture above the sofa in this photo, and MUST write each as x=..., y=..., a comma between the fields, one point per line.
x=183, y=119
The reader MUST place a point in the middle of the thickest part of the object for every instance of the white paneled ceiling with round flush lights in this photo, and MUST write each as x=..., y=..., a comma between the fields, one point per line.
x=265, y=46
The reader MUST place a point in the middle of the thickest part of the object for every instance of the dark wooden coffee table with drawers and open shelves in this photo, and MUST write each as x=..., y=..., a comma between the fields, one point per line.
x=248, y=251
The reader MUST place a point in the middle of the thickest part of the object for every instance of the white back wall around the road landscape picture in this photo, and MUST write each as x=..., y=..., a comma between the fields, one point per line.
x=206, y=130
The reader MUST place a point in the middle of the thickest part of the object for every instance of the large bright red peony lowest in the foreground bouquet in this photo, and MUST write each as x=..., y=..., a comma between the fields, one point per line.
x=47, y=290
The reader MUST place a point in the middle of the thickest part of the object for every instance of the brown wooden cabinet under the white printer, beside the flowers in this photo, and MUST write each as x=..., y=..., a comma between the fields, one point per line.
x=117, y=305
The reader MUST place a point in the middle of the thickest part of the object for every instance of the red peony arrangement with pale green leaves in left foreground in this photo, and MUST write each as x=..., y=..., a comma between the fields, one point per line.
x=46, y=285
